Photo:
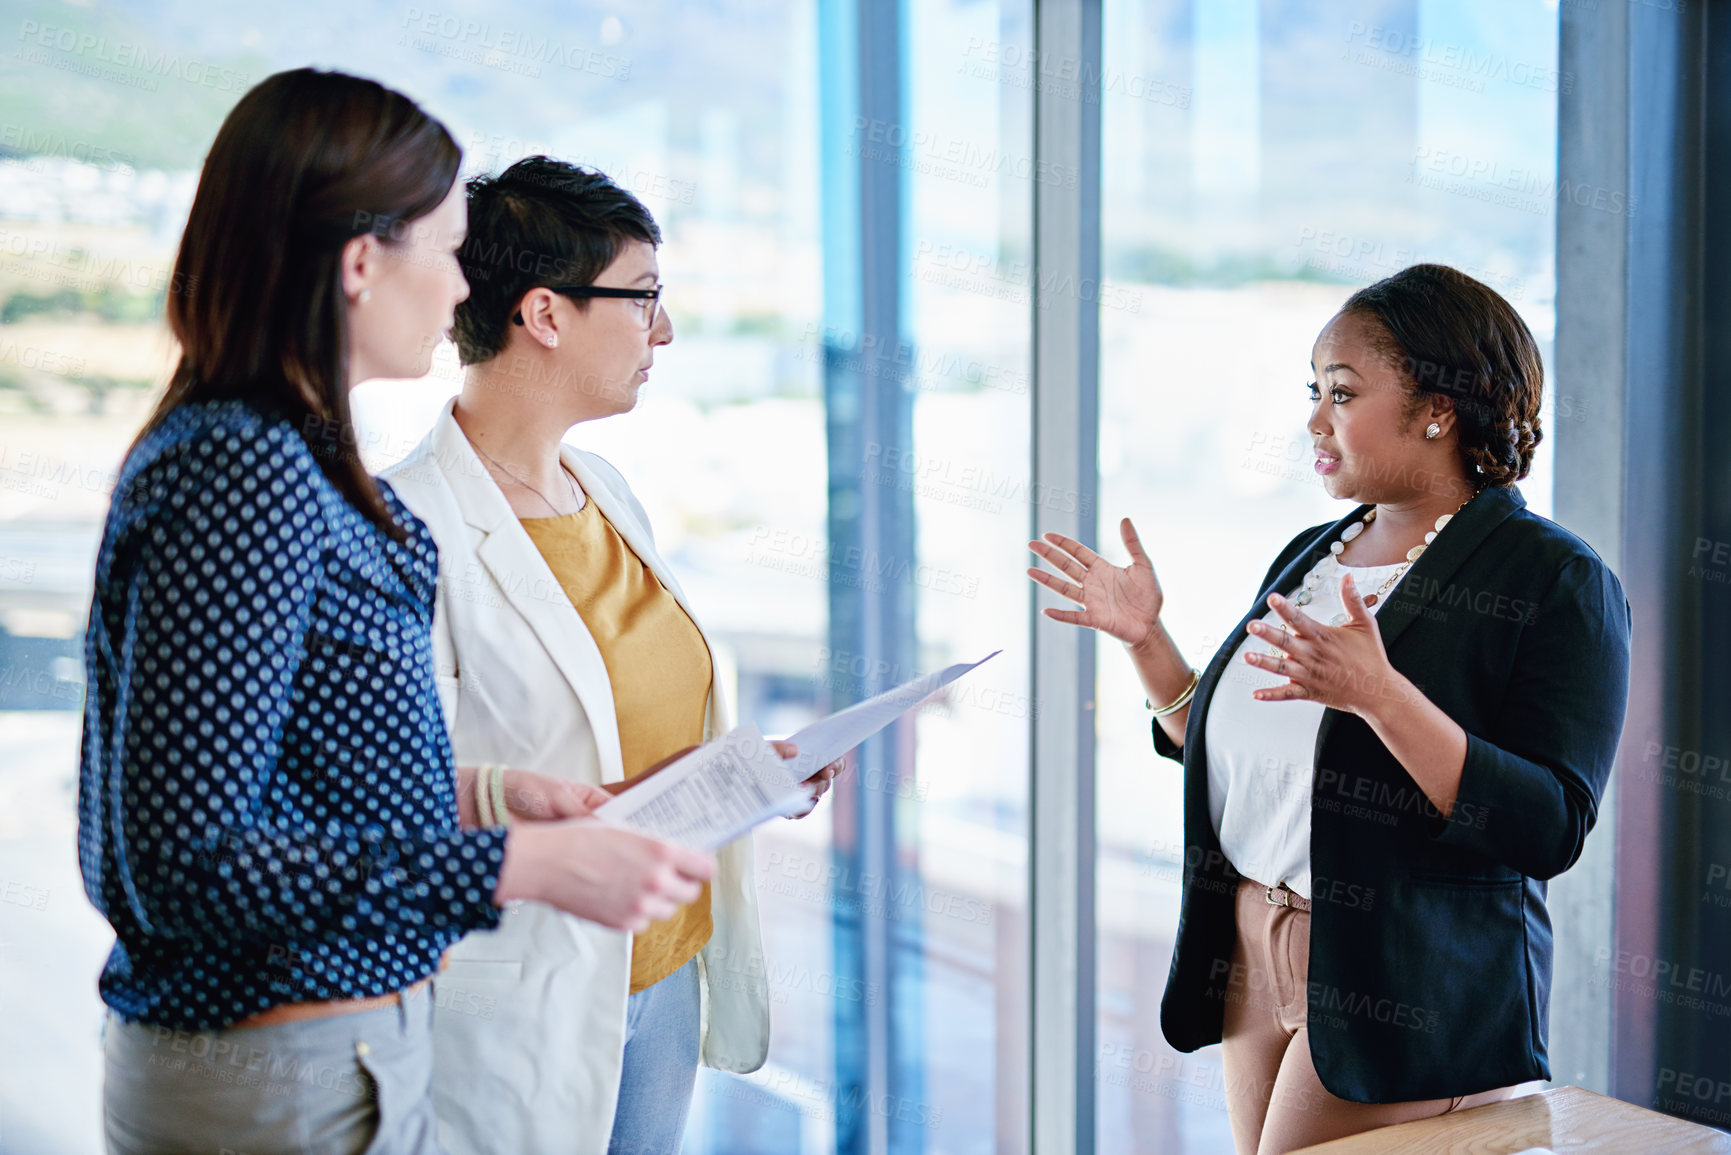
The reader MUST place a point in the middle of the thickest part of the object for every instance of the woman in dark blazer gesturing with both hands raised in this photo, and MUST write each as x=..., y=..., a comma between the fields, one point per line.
x=1396, y=749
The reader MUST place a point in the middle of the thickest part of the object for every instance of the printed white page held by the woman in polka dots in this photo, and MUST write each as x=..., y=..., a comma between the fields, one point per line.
x=712, y=796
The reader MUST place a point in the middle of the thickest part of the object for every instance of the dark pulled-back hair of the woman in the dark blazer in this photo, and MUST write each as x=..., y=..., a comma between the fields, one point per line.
x=1457, y=337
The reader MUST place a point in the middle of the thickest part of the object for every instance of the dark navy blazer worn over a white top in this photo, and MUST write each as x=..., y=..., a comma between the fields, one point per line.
x=1431, y=946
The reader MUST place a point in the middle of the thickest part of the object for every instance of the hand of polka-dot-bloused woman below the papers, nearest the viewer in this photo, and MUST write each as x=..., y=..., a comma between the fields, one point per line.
x=607, y=875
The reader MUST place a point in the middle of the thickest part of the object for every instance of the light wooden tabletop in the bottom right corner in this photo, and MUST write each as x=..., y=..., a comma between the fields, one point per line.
x=1566, y=1120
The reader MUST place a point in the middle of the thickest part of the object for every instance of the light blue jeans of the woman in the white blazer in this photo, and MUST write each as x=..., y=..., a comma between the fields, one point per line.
x=660, y=1066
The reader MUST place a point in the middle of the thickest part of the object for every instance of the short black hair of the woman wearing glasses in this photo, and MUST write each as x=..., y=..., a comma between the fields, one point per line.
x=537, y=224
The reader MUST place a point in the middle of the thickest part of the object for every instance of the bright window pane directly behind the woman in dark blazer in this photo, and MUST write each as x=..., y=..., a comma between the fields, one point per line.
x=1263, y=160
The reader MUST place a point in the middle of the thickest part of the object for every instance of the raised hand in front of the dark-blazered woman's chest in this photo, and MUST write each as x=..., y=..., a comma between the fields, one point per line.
x=1339, y=666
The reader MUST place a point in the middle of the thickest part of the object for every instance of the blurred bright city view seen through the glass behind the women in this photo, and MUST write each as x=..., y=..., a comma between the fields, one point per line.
x=1263, y=158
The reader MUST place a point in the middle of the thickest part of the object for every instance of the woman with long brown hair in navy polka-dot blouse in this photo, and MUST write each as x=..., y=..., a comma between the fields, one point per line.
x=269, y=813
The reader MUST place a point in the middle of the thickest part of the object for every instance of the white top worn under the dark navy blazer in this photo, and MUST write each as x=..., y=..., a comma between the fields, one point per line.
x=1263, y=754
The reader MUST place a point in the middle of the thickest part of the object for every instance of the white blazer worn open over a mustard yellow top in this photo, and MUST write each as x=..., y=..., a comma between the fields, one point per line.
x=531, y=1017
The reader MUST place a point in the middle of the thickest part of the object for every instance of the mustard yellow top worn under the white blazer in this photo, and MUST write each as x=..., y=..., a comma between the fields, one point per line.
x=660, y=673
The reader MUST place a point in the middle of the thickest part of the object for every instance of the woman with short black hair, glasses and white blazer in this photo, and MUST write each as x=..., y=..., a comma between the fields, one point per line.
x=567, y=645
